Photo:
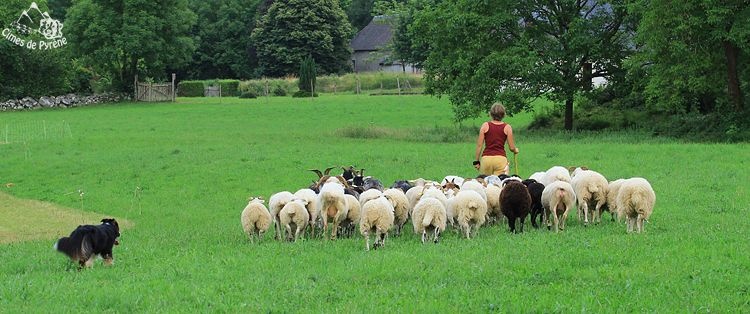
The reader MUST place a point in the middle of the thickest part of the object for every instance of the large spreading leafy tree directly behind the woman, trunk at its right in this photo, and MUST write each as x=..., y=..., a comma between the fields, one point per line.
x=514, y=51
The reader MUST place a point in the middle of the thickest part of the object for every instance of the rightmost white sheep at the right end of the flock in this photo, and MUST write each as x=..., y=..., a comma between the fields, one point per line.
x=636, y=201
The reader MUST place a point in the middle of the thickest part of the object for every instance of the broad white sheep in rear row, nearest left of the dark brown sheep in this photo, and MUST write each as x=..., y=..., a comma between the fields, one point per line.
x=470, y=209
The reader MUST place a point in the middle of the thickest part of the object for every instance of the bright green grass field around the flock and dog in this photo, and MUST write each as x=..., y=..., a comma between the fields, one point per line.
x=196, y=162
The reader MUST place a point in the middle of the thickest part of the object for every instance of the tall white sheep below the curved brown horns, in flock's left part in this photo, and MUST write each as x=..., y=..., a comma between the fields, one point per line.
x=332, y=204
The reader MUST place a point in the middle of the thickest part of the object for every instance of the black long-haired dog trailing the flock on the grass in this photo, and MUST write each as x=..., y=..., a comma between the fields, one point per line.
x=88, y=241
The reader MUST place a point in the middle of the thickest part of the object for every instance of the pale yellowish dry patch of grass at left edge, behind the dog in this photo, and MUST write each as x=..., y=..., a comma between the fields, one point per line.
x=28, y=220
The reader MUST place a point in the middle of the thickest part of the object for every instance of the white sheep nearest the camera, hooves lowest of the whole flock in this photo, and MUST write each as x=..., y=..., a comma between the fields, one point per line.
x=377, y=216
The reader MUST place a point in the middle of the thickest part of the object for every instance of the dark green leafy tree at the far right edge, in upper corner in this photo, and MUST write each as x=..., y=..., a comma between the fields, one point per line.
x=694, y=53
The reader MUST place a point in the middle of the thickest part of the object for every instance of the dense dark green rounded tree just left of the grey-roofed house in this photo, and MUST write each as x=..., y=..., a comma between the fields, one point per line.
x=293, y=29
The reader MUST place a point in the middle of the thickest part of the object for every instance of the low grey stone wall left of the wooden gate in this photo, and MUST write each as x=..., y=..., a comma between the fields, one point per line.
x=64, y=101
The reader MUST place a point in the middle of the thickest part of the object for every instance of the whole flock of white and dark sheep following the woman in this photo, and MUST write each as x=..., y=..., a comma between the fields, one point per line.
x=340, y=204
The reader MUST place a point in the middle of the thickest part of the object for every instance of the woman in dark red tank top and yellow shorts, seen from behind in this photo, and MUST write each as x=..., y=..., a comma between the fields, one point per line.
x=492, y=136
